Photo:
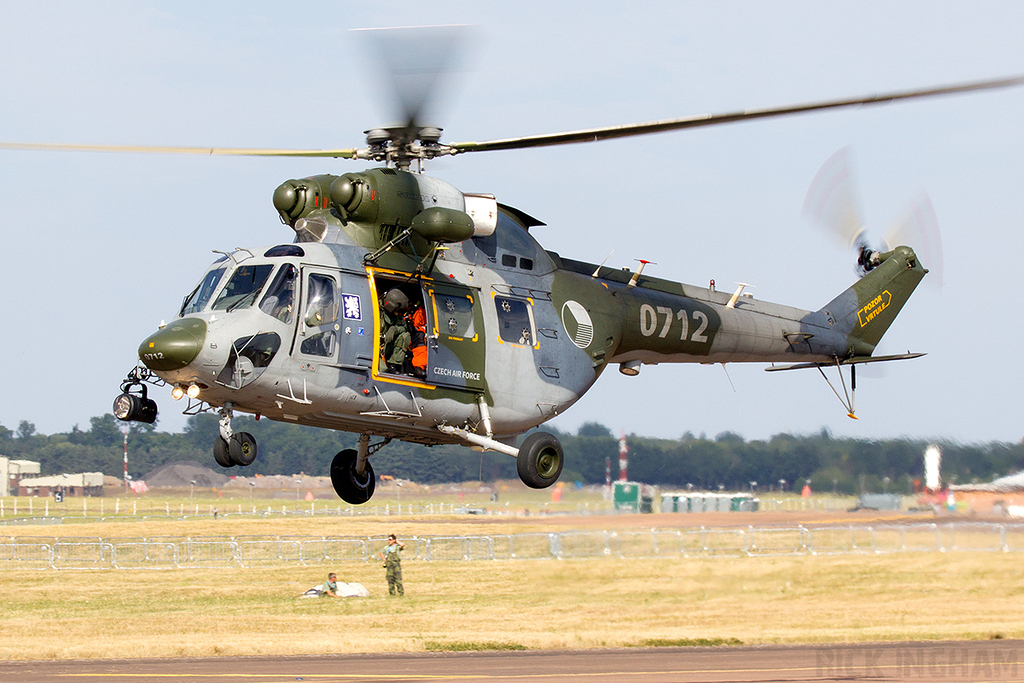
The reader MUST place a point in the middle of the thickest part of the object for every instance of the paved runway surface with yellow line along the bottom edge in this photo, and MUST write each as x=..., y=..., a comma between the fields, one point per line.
x=961, y=661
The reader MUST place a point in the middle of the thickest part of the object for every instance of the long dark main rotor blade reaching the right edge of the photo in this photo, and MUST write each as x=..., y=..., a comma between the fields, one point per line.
x=594, y=135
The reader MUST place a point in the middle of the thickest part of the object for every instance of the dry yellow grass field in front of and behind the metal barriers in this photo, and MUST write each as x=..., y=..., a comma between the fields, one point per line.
x=602, y=603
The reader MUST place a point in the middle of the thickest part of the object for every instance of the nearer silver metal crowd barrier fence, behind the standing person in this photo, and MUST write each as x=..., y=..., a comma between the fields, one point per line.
x=273, y=551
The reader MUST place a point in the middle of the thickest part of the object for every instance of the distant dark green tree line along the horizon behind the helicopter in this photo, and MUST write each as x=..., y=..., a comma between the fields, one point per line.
x=841, y=465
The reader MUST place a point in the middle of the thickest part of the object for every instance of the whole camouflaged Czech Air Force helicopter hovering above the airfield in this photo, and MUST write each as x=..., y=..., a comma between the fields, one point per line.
x=404, y=308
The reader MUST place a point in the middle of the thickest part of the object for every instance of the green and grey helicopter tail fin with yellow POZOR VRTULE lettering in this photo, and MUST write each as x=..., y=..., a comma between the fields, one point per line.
x=867, y=310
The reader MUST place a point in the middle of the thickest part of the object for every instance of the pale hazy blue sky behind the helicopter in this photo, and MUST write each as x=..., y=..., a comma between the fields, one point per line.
x=101, y=247
